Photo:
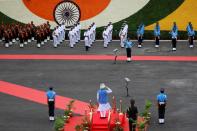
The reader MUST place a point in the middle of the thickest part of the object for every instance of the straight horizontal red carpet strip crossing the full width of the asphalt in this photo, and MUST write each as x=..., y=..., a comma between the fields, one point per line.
x=96, y=57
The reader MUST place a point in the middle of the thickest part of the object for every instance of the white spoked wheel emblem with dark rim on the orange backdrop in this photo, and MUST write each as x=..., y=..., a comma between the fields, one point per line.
x=67, y=12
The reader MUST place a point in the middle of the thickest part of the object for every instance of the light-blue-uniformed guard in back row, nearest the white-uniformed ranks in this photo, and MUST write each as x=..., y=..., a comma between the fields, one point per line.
x=140, y=34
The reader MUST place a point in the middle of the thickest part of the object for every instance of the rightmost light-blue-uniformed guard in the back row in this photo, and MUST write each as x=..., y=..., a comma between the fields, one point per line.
x=191, y=34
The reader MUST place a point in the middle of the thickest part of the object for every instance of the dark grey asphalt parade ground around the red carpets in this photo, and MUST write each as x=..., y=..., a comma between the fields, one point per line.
x=80, y=80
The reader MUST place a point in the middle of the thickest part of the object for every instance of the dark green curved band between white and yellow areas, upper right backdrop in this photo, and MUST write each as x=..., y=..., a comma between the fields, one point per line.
x=154, y=11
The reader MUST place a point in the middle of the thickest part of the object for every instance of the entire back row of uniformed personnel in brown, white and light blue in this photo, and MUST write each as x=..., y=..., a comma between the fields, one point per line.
x=25, y=33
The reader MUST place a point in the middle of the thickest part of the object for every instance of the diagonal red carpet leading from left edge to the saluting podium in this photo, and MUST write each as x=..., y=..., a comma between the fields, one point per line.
x=40, y=96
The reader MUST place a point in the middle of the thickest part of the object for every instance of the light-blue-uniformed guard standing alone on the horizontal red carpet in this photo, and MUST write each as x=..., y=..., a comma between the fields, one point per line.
x=128, y=45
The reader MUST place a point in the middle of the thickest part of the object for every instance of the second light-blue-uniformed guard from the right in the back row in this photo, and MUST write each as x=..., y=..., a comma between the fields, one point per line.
x=174, y=34
